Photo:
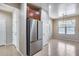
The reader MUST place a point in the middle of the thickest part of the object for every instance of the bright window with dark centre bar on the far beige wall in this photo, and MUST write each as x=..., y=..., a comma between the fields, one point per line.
x=66, y=27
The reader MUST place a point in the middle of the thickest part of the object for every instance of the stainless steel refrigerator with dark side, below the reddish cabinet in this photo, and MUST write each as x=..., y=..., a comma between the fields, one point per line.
x=34, y=36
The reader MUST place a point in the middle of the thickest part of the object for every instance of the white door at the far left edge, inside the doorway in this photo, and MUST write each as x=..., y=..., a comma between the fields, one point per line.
x=2, y=31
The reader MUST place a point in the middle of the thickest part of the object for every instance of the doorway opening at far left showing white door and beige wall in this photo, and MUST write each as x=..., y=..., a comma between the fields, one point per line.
x=5, y=28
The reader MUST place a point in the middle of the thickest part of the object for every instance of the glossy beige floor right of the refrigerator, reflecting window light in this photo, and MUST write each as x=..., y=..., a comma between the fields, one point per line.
x=57, y=47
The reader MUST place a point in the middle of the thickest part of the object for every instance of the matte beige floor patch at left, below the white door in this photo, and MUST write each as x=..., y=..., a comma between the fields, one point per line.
x=9, y=50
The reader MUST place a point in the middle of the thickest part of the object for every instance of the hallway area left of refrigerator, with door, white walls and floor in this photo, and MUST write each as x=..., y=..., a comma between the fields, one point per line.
x=12, y=33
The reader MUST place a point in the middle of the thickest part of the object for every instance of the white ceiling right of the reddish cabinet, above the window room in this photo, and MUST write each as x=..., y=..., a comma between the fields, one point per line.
x=55, y=7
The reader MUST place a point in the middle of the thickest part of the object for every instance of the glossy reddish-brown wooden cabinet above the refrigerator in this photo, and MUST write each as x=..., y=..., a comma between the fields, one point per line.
x=33, y=12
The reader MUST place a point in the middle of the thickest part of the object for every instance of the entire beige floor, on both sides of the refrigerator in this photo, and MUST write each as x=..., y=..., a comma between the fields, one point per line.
x=53, y=48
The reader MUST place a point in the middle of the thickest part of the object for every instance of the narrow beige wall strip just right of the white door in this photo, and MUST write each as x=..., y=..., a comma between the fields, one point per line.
x=8, y=28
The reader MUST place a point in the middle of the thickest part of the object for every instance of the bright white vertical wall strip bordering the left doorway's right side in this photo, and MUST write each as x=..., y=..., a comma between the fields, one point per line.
x=15, y=28
